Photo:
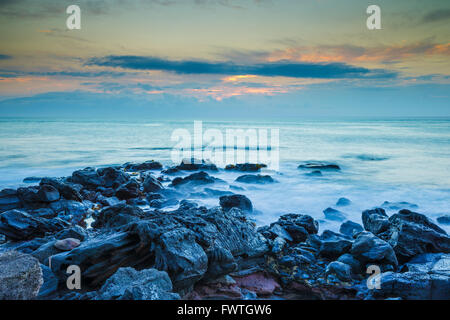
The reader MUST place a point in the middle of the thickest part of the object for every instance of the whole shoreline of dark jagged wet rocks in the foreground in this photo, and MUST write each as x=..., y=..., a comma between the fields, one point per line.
x=134, y=235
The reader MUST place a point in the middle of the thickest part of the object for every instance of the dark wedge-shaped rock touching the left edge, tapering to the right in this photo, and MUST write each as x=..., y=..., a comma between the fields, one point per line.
x=19, y=225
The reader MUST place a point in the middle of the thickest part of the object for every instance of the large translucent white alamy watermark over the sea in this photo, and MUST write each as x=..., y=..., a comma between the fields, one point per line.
x=231, y=146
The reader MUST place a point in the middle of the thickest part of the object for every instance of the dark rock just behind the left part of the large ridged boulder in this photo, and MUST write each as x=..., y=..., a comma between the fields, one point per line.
x=117, y=216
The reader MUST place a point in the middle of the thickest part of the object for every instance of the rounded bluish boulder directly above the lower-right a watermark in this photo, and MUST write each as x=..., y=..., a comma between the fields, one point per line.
x=369, y=248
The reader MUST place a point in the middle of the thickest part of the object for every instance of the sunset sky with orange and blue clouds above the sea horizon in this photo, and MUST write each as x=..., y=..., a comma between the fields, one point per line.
x=222, y=58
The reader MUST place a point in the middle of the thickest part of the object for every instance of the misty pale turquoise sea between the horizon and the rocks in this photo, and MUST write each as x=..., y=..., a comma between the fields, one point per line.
x=381, y=160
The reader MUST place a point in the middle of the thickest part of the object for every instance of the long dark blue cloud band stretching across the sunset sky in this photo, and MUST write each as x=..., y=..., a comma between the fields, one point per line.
x=269, y=69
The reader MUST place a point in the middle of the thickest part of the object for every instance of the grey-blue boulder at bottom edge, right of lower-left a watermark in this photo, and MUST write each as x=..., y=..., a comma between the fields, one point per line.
x=129, y=284
